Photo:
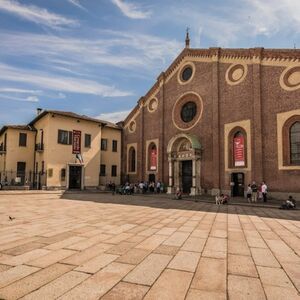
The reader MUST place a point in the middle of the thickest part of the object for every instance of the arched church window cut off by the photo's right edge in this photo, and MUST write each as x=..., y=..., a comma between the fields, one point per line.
x=291, y=141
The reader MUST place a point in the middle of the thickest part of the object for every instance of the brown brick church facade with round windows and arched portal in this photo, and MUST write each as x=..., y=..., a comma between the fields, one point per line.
x=218, y=119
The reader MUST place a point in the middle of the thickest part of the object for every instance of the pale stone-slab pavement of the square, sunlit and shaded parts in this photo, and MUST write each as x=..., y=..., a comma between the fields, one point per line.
x=100, y=246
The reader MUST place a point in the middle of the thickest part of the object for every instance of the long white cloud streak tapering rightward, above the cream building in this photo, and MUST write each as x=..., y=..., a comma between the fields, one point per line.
x=59, y=83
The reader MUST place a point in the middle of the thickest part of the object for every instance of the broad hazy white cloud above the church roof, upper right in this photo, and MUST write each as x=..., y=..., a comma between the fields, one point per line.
x=234, y=22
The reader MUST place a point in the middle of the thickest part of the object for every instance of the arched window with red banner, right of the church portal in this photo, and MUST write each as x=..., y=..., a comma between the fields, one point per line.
x=238, y=148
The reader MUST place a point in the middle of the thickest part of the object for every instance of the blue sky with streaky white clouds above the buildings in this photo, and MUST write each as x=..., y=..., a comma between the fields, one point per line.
x=98, y=57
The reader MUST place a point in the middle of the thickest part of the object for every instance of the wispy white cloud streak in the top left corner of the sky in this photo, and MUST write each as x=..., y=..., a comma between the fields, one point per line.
x=36, y=14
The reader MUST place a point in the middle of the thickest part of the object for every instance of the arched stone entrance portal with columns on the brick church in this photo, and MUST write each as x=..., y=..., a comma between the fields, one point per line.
x=184, y=156
